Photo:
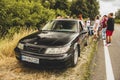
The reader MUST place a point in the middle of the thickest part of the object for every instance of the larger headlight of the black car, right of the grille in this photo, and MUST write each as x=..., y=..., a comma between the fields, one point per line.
x=57, y=50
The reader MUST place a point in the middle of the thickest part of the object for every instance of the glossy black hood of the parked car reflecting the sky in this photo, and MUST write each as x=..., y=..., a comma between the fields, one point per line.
x=51, y=38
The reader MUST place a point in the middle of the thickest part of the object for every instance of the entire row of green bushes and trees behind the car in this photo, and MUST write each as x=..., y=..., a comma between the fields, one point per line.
x=34, y=13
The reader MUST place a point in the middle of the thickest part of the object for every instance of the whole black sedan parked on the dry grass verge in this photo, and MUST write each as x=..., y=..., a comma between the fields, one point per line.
x=59, y=42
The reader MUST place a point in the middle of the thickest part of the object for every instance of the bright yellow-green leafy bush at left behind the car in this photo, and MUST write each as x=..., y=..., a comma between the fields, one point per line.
x=23, y=13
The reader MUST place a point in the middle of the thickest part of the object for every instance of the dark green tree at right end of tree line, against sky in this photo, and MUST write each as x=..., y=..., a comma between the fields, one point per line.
x=89, y=8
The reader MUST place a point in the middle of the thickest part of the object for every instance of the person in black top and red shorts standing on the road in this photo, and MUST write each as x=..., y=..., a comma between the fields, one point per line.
x=110, y=29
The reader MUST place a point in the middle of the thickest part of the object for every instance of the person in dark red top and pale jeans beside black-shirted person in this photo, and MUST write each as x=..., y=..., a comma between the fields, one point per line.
x=104, y=25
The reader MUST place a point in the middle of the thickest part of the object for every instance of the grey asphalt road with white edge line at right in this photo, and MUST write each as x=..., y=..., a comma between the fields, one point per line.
x=101, y=70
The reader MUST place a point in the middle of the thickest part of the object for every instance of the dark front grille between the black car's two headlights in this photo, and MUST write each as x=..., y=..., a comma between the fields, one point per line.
x=34, y=49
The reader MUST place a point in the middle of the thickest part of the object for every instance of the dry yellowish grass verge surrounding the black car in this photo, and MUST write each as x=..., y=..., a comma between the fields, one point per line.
x=11, y=69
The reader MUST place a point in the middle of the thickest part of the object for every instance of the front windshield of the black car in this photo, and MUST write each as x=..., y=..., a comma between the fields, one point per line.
x=61, y=25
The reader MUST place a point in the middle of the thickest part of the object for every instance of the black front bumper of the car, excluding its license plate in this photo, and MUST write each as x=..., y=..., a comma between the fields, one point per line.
x=56, y=60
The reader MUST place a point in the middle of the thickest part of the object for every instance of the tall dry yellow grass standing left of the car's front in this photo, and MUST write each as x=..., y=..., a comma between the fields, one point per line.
x=8, y=44
